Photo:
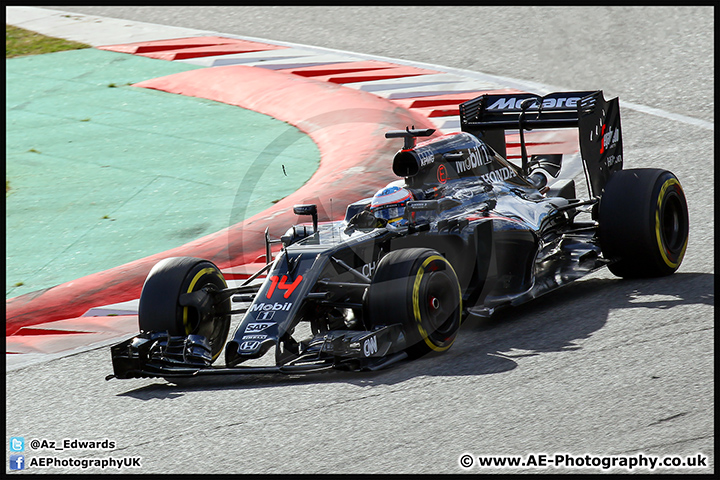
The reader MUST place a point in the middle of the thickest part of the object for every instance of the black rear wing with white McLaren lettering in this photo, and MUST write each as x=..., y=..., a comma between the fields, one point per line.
x=597, y=120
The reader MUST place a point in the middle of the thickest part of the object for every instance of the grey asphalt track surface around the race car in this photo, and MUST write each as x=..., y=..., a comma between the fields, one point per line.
x=603, y=367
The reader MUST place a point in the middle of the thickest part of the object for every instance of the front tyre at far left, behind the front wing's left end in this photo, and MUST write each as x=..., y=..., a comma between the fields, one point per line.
x=160, y=310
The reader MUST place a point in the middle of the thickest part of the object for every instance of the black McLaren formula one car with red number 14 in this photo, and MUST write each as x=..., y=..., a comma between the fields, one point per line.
x=463, y=232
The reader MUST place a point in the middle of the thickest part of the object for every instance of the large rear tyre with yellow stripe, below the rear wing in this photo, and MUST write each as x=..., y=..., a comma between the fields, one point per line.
x=644, y=223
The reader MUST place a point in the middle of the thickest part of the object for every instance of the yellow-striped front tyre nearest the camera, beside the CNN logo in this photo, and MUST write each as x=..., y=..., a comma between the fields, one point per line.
x=418, y=288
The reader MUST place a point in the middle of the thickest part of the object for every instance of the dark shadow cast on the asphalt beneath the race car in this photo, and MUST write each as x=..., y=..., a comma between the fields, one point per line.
x=552, y=323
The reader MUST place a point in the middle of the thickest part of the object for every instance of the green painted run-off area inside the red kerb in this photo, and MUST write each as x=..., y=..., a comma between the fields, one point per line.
x=100, y=173
